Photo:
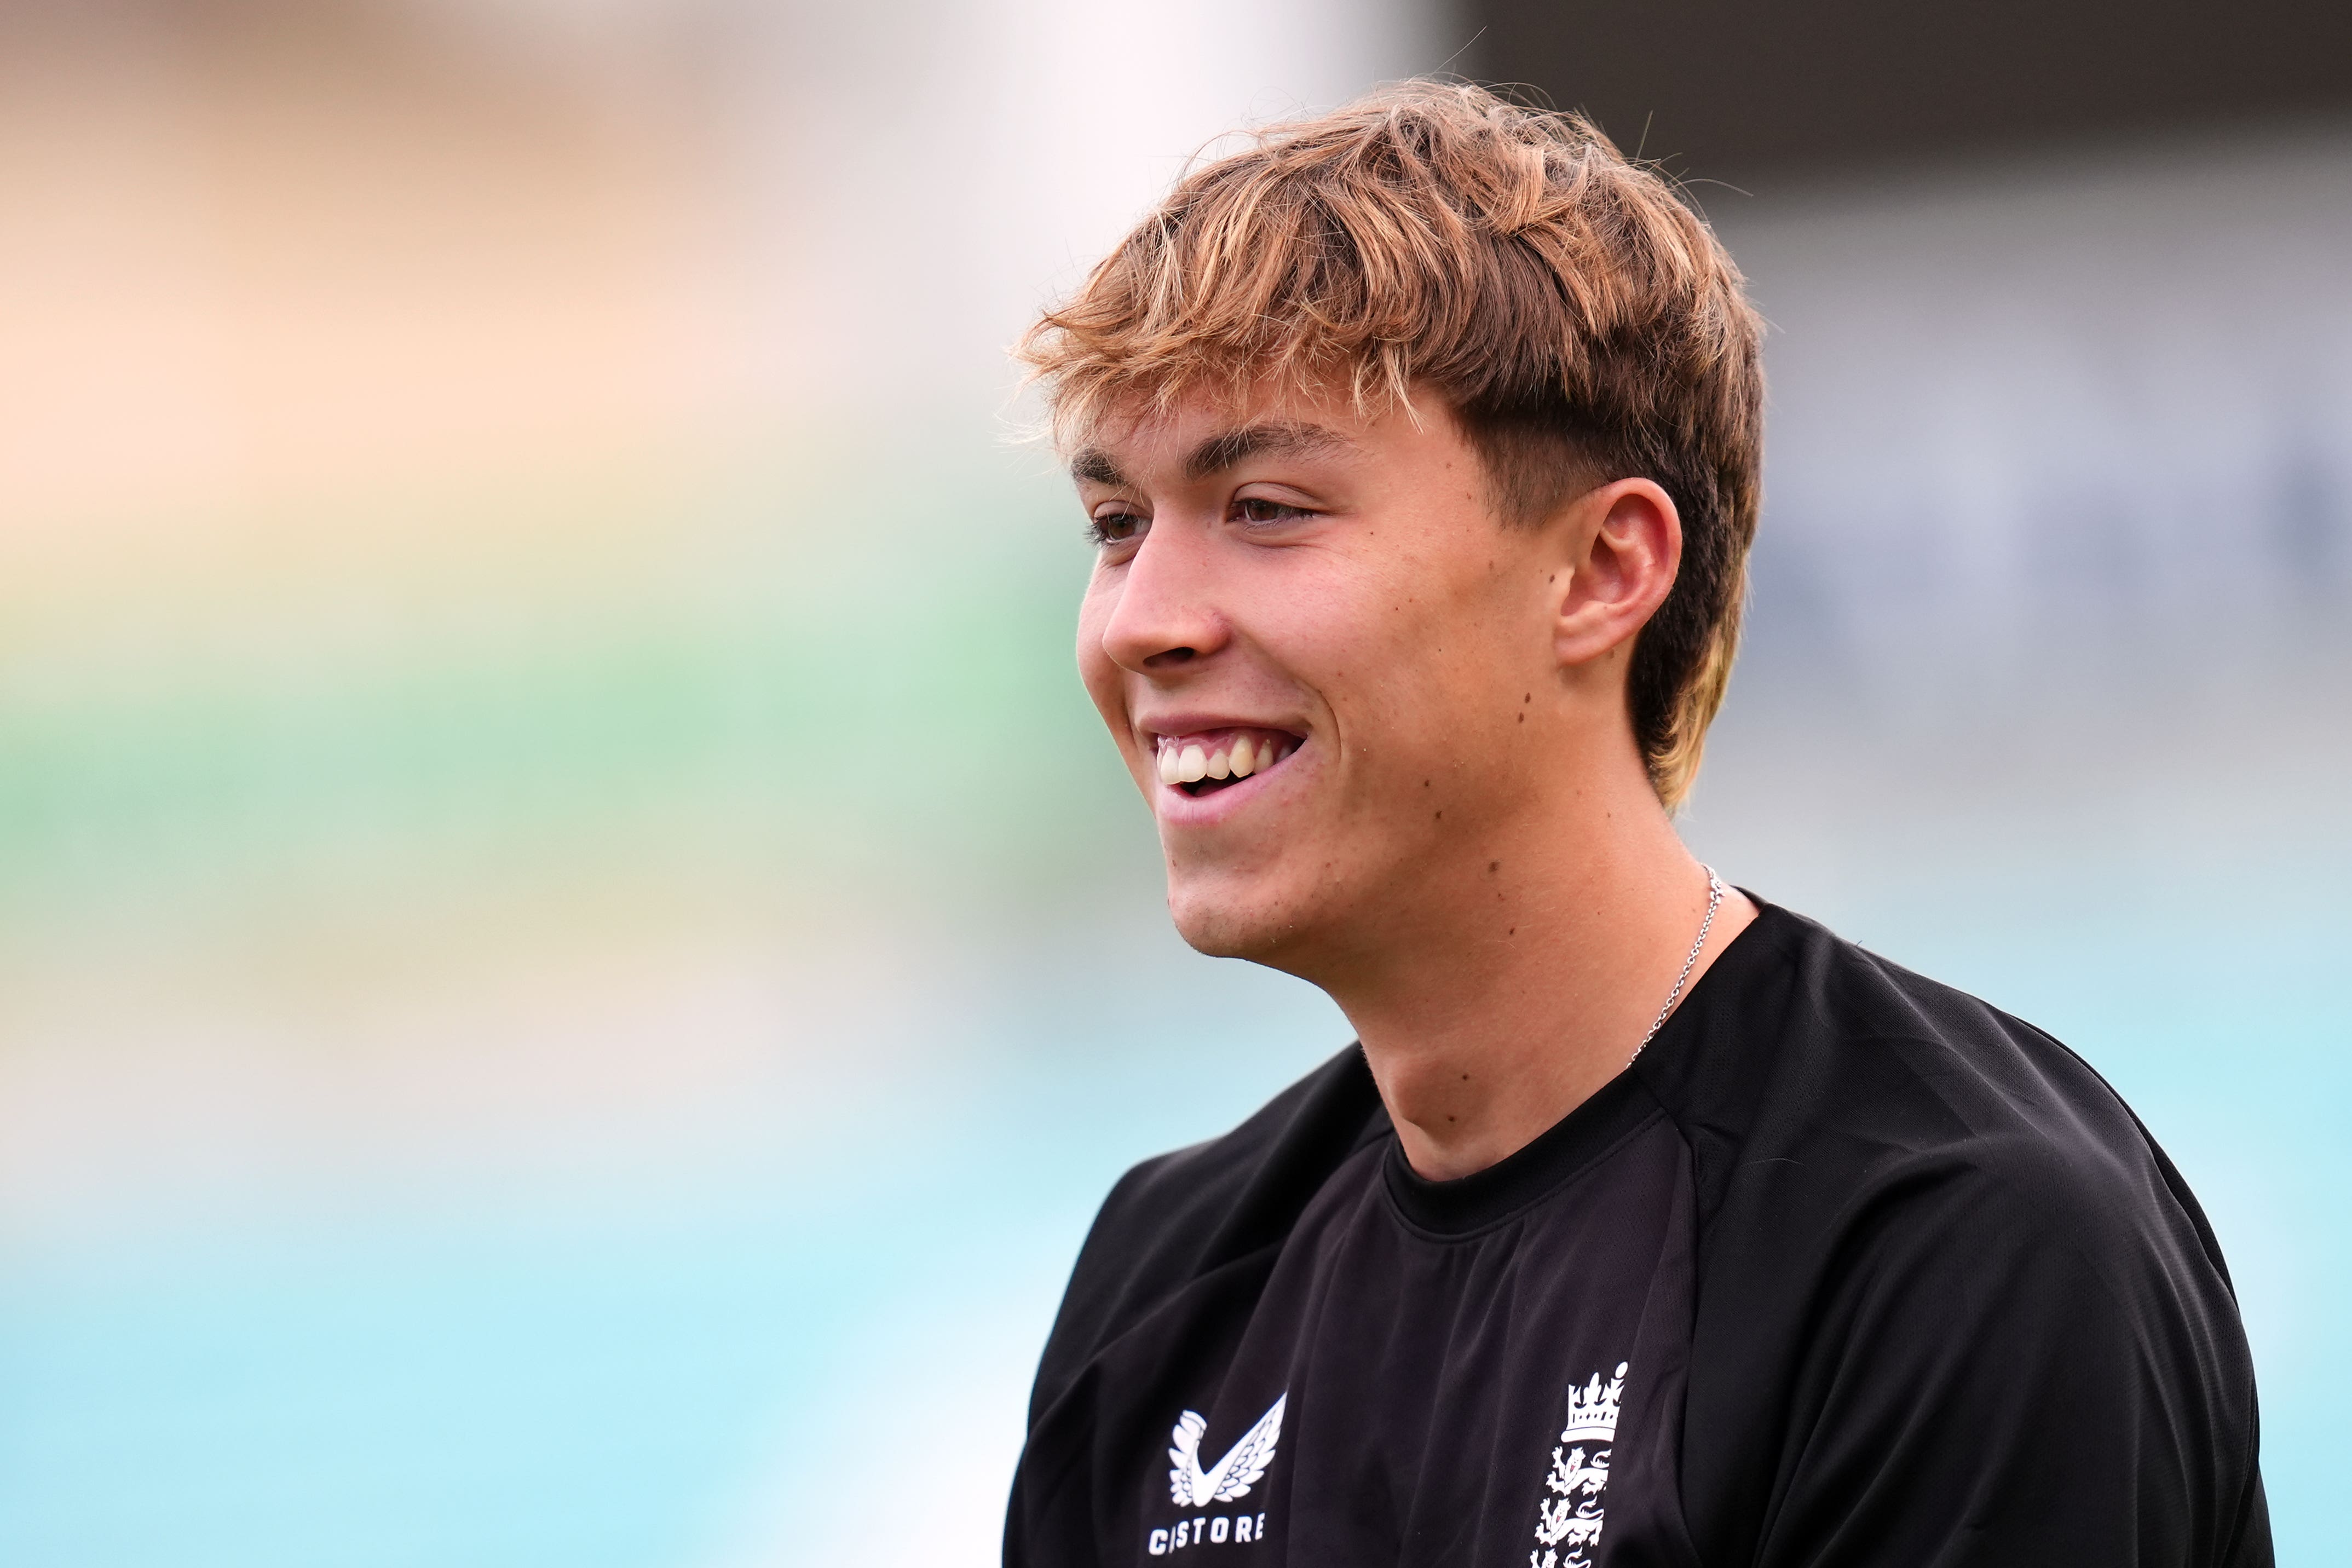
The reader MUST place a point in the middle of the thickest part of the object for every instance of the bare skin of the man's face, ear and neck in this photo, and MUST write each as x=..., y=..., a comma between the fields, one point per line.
x=1464, y=850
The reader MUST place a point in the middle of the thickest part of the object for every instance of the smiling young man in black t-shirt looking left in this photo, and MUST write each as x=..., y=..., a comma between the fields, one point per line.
x=1648, y=1224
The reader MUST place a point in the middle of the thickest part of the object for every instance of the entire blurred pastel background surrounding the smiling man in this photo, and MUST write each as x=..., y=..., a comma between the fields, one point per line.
x=573, y=965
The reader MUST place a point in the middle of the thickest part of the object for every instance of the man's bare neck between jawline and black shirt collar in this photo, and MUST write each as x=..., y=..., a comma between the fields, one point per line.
x=1530, y=974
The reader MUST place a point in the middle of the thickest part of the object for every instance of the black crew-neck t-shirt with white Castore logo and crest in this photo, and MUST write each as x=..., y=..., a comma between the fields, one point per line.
x=1845, y=1271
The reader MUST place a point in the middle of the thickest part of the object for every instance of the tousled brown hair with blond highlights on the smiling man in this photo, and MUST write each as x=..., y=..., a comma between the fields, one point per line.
x=1563, y=302
